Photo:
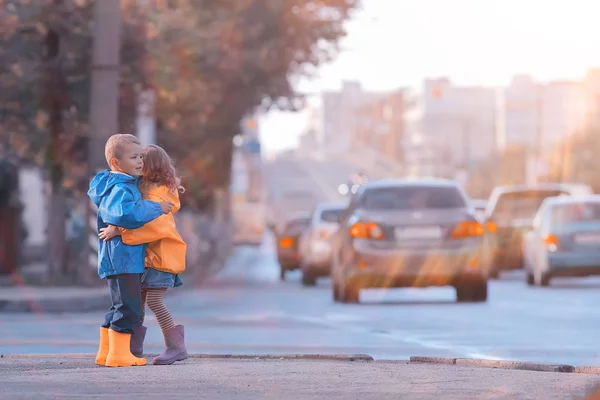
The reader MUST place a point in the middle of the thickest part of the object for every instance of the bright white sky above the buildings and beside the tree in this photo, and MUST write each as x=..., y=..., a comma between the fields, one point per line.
x=397, y=43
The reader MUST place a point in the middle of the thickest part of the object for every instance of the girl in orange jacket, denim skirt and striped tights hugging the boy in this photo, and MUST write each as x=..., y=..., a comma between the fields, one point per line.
x=165, y=254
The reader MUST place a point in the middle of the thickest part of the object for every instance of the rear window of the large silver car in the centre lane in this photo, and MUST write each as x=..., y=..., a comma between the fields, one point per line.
x=408, y=197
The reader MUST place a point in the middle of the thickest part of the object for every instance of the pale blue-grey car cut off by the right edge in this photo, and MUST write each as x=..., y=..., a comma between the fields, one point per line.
x=564, y=240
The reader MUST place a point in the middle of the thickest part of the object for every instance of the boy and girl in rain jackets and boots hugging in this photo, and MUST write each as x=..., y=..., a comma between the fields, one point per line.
x=140, y=253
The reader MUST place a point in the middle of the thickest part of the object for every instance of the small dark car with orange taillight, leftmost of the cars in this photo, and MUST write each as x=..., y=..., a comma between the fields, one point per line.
x=287, y=243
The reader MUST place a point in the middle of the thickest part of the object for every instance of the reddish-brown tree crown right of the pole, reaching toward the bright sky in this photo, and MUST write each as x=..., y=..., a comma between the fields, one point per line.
x=214, y=62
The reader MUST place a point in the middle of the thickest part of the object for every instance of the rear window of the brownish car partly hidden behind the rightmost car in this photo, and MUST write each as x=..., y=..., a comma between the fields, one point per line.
x=522, y=204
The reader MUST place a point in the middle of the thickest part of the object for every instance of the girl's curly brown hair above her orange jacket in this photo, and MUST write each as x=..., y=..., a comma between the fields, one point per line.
x=159, y=169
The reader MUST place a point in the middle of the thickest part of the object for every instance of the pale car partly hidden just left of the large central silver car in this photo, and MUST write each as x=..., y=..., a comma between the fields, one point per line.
x=315, y=242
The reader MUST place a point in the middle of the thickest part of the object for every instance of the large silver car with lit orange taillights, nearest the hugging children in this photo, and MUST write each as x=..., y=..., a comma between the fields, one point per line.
x=409, y=233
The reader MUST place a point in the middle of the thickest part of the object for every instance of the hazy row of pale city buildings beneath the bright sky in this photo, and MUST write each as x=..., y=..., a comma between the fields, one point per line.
x=443, y=129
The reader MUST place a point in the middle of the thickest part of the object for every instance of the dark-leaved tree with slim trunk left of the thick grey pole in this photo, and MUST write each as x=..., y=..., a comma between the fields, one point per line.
x=45, y=54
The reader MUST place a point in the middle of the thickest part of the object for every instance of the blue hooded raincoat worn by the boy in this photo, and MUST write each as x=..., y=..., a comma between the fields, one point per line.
x=120, y=203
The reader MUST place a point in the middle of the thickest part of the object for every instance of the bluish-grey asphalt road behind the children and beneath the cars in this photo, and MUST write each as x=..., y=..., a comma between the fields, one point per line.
x=246, y=309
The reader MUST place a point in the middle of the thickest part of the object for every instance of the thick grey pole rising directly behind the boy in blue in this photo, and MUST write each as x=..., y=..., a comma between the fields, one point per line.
x=104, y=102
